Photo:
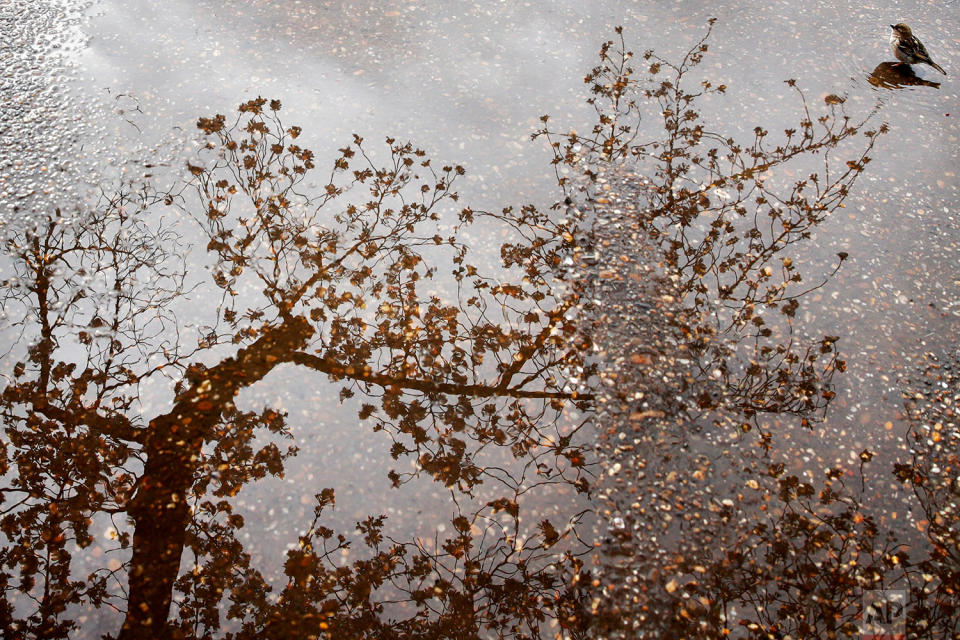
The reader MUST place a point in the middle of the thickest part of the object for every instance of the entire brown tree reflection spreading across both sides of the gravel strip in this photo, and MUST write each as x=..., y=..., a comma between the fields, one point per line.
x=334, y=282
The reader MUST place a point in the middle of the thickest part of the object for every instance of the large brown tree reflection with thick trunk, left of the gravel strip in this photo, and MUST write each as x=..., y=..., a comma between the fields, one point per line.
x=330, y=283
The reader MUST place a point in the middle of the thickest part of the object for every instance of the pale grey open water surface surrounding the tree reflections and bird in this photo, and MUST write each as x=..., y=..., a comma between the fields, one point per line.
x=468, y=82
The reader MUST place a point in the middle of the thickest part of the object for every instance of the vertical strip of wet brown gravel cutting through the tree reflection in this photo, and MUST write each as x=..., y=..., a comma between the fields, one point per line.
x=656, y=447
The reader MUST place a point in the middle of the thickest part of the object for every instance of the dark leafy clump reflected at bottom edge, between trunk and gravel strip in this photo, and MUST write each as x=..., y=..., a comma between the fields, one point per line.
x=464, y=588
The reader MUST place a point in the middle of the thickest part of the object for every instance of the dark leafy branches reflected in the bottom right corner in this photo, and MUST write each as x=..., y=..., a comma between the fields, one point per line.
x=801, y=565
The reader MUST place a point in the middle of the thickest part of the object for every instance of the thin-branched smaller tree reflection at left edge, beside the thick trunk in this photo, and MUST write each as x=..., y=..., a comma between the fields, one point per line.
x=69, y=441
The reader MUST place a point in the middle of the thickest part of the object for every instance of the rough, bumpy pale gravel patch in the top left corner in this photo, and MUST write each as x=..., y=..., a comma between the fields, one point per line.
x=53, y=152
